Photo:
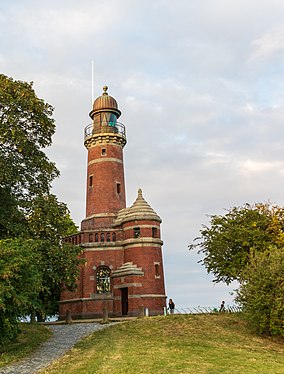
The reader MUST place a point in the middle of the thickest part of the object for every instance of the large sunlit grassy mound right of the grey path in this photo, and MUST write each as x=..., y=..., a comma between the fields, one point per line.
x=181, y=344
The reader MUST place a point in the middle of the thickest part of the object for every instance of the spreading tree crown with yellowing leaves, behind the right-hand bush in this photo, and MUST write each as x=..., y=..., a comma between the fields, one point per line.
x=227, y=242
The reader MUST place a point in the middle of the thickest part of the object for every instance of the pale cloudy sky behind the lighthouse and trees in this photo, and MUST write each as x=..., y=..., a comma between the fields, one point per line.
x=200, y=87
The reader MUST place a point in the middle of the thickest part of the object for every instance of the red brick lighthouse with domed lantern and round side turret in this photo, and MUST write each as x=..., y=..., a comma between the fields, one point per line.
x=123, y=269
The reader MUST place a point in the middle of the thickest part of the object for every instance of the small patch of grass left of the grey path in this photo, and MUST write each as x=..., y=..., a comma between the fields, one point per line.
x=30, y=337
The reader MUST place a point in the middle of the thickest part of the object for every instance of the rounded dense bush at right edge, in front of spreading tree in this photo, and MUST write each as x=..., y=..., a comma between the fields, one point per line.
x=261, y=293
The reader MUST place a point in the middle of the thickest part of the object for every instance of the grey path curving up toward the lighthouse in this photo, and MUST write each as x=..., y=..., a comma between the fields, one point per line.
x=64, y=337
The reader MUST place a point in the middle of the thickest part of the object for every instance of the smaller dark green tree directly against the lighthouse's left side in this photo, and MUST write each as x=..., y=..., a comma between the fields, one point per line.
x=49, y=222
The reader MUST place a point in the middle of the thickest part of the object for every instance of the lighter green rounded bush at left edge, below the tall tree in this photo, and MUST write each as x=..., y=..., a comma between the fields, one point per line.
x=20, y=283
